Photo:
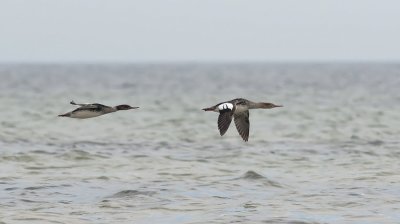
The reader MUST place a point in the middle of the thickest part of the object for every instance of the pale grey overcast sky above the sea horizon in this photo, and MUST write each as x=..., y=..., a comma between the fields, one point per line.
x=199, y=30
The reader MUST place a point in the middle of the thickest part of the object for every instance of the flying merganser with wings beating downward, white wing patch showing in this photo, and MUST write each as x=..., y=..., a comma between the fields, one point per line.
x=239, y=110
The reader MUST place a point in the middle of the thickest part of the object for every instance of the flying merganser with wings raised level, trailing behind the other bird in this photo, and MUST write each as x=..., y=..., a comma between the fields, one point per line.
x=88, y=110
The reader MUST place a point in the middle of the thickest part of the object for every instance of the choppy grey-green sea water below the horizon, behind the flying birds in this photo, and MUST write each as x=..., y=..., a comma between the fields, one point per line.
x=331, y=155
